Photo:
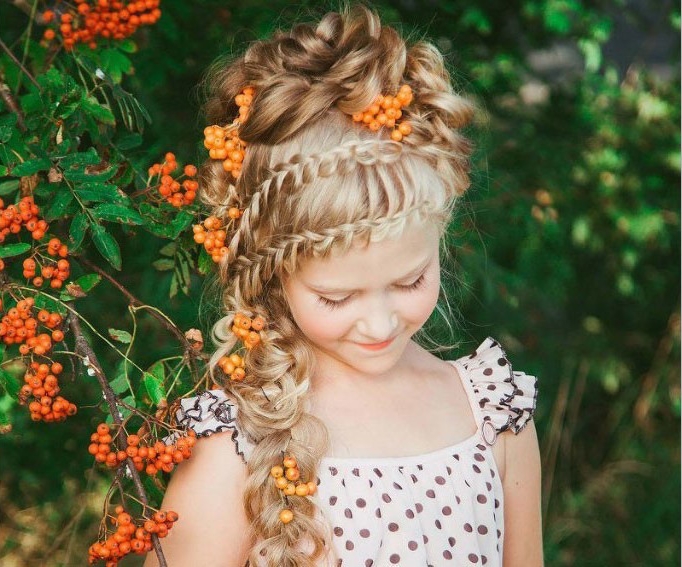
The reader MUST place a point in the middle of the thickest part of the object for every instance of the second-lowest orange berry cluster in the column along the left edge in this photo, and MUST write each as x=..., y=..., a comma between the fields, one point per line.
x=20, y=325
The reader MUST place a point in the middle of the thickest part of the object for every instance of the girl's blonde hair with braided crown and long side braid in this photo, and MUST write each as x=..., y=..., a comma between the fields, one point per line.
x=312, y=183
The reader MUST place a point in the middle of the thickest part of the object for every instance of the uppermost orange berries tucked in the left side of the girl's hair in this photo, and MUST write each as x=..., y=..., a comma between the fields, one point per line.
x=224, y=143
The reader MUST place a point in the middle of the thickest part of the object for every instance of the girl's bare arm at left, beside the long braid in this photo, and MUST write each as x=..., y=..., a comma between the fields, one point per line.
x=206, y=492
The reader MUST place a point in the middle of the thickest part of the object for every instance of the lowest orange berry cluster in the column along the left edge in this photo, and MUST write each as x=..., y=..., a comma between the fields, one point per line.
x=42, y=384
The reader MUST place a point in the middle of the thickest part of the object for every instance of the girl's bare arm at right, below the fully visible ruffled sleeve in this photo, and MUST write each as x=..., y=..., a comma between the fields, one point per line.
x=522, y=506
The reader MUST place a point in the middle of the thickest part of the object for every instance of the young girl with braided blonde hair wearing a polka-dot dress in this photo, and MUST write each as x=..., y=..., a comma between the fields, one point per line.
x=343, y=441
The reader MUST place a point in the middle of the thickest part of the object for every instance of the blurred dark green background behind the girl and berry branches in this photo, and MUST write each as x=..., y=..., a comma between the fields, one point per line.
x=567, y=249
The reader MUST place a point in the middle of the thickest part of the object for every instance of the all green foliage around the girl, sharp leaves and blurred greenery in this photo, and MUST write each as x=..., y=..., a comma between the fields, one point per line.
x=567, y=247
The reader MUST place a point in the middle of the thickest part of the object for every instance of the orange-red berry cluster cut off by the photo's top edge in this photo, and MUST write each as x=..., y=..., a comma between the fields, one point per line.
x=91, y=20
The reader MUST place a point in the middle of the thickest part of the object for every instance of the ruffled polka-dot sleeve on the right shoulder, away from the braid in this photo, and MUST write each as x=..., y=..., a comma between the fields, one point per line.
x=502, y=399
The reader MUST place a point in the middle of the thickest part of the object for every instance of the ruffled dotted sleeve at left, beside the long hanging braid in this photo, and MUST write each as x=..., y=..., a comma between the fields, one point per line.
x=213, y=412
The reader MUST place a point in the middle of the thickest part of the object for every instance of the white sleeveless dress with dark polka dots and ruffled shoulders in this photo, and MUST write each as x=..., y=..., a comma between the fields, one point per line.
x=440, y=508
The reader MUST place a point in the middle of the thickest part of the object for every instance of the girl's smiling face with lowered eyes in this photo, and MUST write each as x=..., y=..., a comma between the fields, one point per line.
x=360, y=308
